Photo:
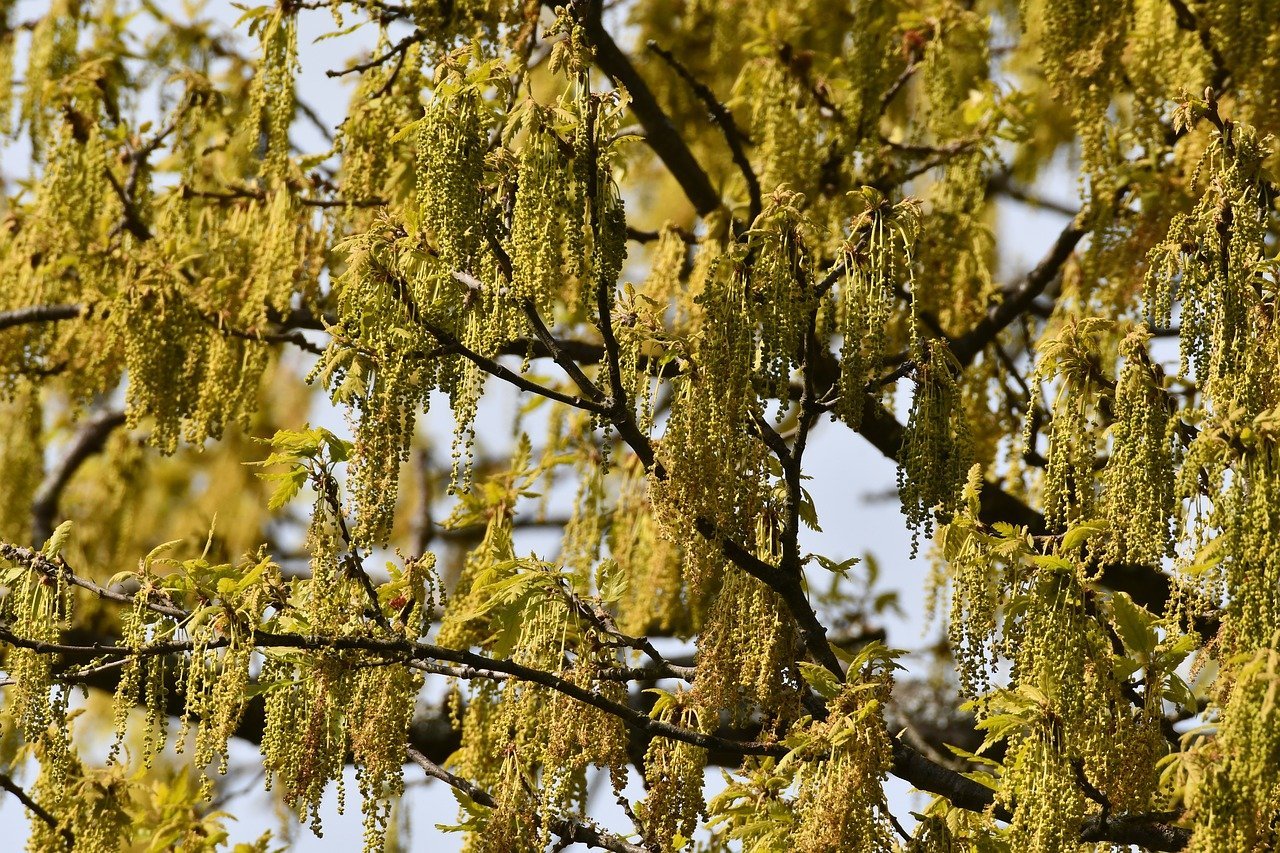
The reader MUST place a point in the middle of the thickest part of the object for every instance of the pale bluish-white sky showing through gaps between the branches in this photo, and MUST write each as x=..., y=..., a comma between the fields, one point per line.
x=853, y=487
